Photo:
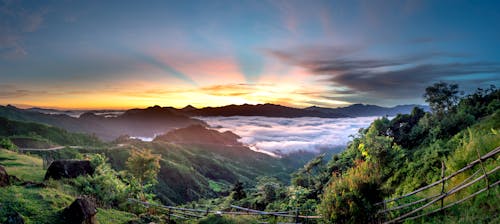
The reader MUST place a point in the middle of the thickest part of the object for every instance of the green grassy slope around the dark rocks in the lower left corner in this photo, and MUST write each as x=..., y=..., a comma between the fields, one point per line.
x=40, y=205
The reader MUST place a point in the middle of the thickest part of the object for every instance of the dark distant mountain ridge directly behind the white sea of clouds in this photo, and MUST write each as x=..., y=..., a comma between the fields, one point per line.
x=273, y=110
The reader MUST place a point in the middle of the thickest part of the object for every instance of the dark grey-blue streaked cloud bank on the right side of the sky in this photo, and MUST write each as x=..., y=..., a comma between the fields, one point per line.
x=403, y=77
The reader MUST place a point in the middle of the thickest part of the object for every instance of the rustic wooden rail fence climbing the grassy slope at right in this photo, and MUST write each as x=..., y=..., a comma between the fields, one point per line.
x=439, y=198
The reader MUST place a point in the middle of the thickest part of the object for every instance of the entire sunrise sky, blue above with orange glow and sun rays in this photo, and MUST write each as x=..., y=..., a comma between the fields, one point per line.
x=124, y=54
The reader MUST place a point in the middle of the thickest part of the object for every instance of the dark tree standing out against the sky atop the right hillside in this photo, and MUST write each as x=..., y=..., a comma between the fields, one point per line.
x=441, y=97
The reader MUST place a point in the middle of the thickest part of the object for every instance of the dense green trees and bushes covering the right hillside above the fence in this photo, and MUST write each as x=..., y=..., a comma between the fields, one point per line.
x=406, y=153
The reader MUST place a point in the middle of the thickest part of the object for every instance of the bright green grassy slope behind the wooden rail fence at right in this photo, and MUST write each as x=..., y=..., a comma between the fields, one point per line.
x=484, y=208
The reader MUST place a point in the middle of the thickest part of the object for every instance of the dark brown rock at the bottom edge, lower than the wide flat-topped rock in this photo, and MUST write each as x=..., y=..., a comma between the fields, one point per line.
x=81, y=211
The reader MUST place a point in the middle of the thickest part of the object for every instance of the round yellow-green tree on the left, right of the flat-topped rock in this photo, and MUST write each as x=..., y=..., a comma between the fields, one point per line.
x=143, y=166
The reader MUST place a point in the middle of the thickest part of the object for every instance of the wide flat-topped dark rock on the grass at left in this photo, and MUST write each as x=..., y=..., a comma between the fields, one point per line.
x=68, y=169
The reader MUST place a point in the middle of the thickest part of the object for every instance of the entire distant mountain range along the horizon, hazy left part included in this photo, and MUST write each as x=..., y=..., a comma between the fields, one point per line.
x=151, y=121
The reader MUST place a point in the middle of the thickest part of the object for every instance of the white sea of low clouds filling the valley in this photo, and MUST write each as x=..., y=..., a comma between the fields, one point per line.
x=281, y=136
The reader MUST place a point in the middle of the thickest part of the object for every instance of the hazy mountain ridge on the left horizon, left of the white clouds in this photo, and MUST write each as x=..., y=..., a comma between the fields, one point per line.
x=135, y=122
